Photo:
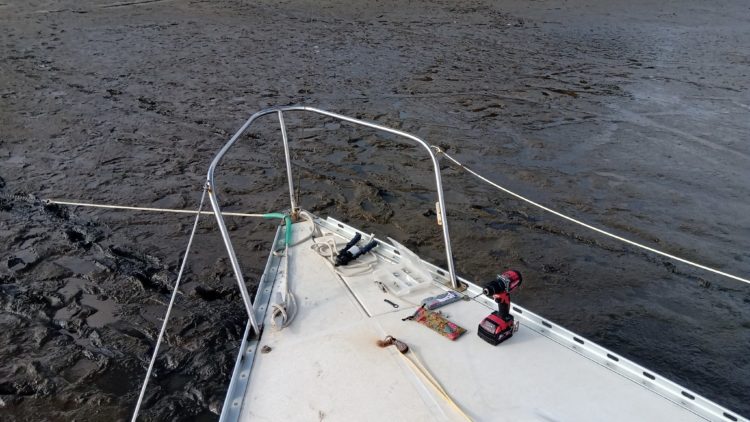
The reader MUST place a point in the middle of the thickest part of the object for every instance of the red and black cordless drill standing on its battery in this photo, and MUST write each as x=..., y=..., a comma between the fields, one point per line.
x=500, y=325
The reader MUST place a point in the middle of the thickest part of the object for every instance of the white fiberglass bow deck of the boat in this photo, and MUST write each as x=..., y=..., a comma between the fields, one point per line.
x=327, y=366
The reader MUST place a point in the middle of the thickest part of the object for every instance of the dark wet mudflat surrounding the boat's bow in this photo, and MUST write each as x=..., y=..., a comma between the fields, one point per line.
x=632, y=116
